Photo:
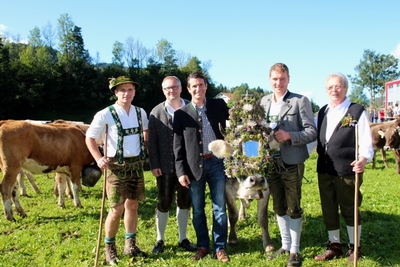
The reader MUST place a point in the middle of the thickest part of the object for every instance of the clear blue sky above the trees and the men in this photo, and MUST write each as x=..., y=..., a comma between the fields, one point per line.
x=242, y=39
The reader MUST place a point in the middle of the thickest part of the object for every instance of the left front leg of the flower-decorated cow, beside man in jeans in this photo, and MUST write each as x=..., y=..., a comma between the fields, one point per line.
x=233, y=214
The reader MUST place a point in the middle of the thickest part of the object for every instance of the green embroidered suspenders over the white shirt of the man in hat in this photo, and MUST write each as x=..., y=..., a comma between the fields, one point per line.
x=125, y=132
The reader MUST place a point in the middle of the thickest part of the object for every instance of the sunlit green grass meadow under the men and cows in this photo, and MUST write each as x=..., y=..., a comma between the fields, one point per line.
x=51, y=236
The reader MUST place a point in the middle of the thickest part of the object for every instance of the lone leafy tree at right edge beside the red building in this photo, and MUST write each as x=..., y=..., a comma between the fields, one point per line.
x=373, y=71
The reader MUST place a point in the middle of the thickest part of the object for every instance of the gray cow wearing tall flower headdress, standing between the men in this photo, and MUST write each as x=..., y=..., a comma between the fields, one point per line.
x=247, y=151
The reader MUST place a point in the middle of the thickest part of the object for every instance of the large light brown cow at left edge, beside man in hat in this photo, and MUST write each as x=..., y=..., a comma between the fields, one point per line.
x=40, y=149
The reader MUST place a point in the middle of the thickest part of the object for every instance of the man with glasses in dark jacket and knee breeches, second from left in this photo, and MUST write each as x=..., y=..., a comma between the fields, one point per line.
x=162, y=165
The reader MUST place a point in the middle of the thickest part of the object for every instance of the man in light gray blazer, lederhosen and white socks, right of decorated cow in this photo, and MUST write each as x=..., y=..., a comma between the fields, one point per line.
x=291, y=117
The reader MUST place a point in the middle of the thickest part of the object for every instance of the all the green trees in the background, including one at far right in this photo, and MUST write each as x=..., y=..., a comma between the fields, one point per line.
x=53, y=76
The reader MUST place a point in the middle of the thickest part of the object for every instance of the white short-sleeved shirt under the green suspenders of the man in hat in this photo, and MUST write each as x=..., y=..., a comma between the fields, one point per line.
x=131, y=142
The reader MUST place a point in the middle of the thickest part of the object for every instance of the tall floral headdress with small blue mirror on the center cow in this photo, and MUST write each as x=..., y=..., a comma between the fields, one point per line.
x=247, y=125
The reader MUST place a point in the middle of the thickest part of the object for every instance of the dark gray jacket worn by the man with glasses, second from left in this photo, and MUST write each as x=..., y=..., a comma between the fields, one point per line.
x=161, y=139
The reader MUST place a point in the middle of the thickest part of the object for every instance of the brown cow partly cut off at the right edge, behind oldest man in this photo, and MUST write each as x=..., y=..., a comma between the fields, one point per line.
x=385, y=137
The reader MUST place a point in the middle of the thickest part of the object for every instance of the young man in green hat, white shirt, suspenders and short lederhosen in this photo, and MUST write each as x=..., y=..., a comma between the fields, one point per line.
x=126, y=147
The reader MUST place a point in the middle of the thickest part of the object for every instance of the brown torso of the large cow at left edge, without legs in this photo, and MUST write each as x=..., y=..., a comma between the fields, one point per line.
x=52, y=144
